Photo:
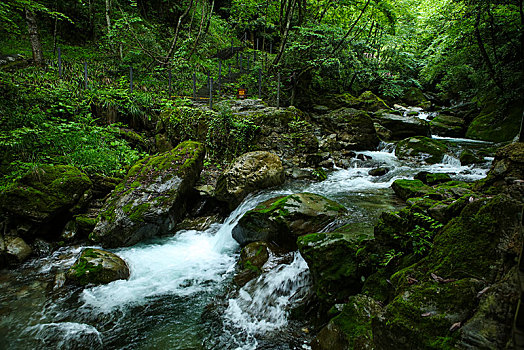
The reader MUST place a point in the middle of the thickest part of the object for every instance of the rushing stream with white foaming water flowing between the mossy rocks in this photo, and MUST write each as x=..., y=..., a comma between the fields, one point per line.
x=177, y=282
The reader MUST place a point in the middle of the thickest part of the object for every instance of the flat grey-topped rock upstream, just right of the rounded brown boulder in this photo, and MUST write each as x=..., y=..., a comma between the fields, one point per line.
x=402, y=126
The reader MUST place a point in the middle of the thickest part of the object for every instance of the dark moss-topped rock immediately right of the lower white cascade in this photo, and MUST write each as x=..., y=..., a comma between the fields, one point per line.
x=332, y=259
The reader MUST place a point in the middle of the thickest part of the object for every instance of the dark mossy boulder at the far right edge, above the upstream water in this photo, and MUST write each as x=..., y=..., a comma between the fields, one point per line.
x=490, y=125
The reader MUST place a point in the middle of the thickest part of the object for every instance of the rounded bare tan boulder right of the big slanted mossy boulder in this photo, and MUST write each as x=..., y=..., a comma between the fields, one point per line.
x=250, y=172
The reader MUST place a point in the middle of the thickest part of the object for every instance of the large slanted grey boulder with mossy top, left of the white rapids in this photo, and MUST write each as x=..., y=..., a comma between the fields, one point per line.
x=152, y=197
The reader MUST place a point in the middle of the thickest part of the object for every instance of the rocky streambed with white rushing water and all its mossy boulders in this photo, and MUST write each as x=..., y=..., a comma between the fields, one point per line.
x=319, y=244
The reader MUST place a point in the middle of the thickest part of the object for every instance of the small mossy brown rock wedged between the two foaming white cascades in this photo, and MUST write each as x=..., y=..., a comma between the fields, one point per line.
x=252, y=258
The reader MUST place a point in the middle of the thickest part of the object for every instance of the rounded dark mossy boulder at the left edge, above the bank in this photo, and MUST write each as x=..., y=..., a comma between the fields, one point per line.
x=43, y=197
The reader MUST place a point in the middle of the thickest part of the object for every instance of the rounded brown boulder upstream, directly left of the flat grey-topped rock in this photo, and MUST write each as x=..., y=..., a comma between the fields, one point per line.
x=354, y=128
